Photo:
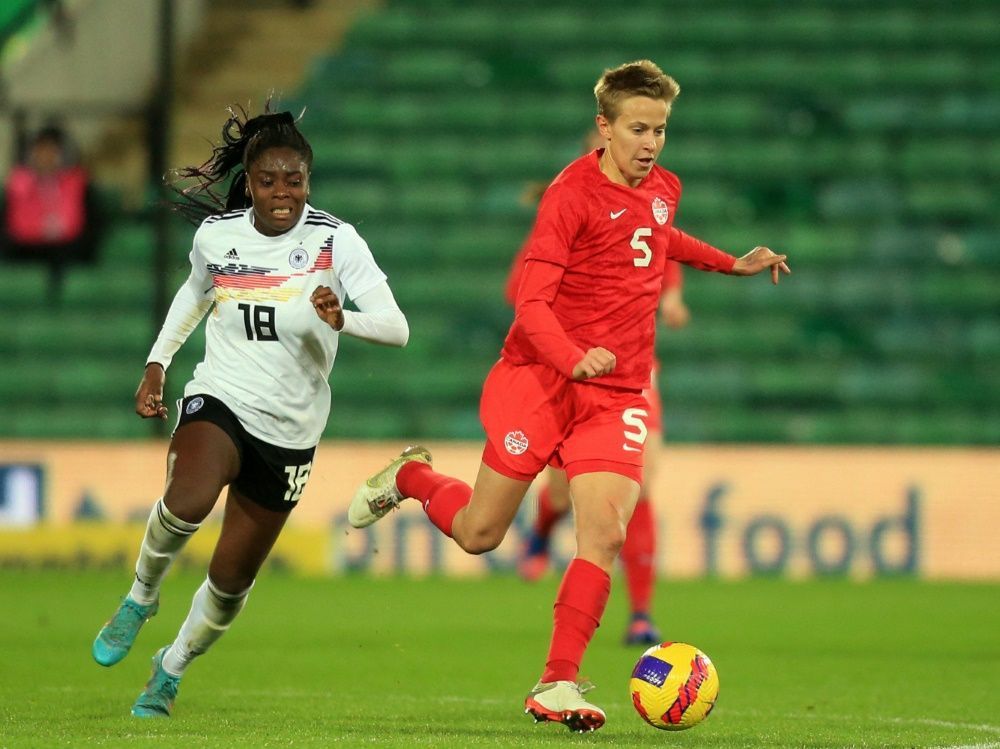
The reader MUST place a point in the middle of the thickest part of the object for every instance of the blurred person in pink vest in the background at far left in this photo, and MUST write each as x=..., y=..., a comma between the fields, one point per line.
x=49, y=214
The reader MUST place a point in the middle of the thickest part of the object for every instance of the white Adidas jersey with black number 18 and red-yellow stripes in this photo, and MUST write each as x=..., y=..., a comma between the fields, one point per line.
x=268, y=355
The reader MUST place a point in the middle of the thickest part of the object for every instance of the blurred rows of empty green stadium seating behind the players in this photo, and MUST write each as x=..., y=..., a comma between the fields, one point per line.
x=860, y=139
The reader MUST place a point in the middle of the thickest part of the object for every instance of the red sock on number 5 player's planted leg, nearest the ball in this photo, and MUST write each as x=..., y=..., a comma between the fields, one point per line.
x=579, y=606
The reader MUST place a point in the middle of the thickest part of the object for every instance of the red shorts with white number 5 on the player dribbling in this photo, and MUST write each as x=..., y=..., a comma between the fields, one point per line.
x=533, y=417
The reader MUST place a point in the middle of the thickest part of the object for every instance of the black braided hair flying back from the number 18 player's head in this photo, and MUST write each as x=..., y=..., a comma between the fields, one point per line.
x=244, y=139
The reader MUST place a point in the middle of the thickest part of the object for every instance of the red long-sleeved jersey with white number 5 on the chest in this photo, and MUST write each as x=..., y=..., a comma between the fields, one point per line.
x=610, y=243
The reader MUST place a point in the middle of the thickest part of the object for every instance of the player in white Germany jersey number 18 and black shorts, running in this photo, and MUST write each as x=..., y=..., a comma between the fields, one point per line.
x=272, y=269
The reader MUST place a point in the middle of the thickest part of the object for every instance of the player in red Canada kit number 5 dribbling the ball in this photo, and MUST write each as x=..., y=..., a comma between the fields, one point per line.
x=567, y=390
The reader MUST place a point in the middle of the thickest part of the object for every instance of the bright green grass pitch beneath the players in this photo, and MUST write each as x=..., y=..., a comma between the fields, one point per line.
x=391, y=662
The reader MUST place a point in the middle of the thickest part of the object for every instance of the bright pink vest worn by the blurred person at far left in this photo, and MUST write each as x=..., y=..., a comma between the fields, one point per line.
x=46, y=209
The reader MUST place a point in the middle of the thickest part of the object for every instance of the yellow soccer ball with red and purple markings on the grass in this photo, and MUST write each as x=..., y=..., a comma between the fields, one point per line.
x=674, y=686
